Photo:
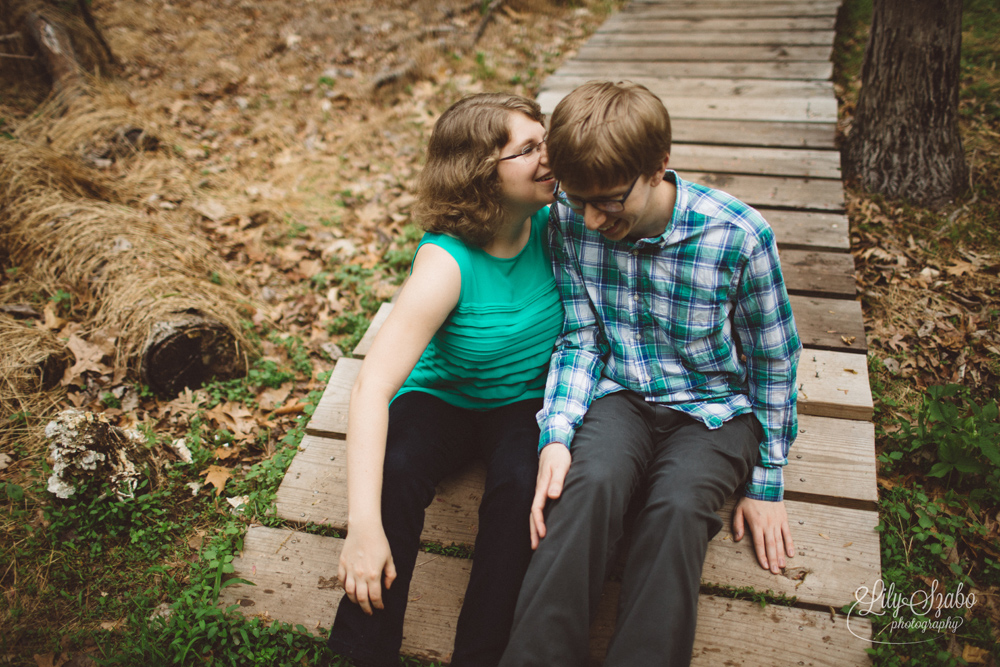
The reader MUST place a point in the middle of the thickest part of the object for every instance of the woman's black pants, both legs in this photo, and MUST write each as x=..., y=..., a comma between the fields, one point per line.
x=428, y=440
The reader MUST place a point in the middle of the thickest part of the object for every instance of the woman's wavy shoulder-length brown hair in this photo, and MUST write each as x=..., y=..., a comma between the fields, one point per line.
x=459, y=188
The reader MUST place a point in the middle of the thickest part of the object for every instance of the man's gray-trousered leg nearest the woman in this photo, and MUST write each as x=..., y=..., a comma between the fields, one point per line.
x=567, y=572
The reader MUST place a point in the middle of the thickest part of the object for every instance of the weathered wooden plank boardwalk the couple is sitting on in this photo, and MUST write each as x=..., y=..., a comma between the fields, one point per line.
x=754, y=114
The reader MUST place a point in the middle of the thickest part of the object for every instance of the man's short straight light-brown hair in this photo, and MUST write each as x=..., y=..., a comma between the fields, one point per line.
x=605, y=134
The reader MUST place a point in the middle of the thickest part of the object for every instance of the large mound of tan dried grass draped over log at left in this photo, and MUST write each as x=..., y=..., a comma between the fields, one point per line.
x=68, y=226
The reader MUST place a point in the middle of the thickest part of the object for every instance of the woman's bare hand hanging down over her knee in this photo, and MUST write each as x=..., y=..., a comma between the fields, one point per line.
x=363, y=561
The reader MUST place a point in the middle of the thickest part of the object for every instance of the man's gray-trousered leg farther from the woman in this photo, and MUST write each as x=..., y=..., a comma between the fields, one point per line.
x=693, y=472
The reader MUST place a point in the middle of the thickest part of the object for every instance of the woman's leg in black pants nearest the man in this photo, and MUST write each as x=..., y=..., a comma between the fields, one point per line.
x=508, y=438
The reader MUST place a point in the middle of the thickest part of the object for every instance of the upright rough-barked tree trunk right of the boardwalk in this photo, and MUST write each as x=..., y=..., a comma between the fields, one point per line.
x=905, y=141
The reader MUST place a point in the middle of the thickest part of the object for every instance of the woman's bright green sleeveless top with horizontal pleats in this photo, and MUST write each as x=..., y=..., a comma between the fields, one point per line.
x=495, y=346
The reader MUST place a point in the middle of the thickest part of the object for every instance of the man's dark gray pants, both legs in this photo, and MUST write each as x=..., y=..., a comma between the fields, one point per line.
x=678, y=473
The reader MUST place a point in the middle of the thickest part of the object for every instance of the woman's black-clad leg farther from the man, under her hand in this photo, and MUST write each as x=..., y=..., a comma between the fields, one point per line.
x=427, y=439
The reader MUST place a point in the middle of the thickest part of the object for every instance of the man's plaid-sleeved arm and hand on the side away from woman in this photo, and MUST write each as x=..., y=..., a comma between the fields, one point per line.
x=769, y=339
